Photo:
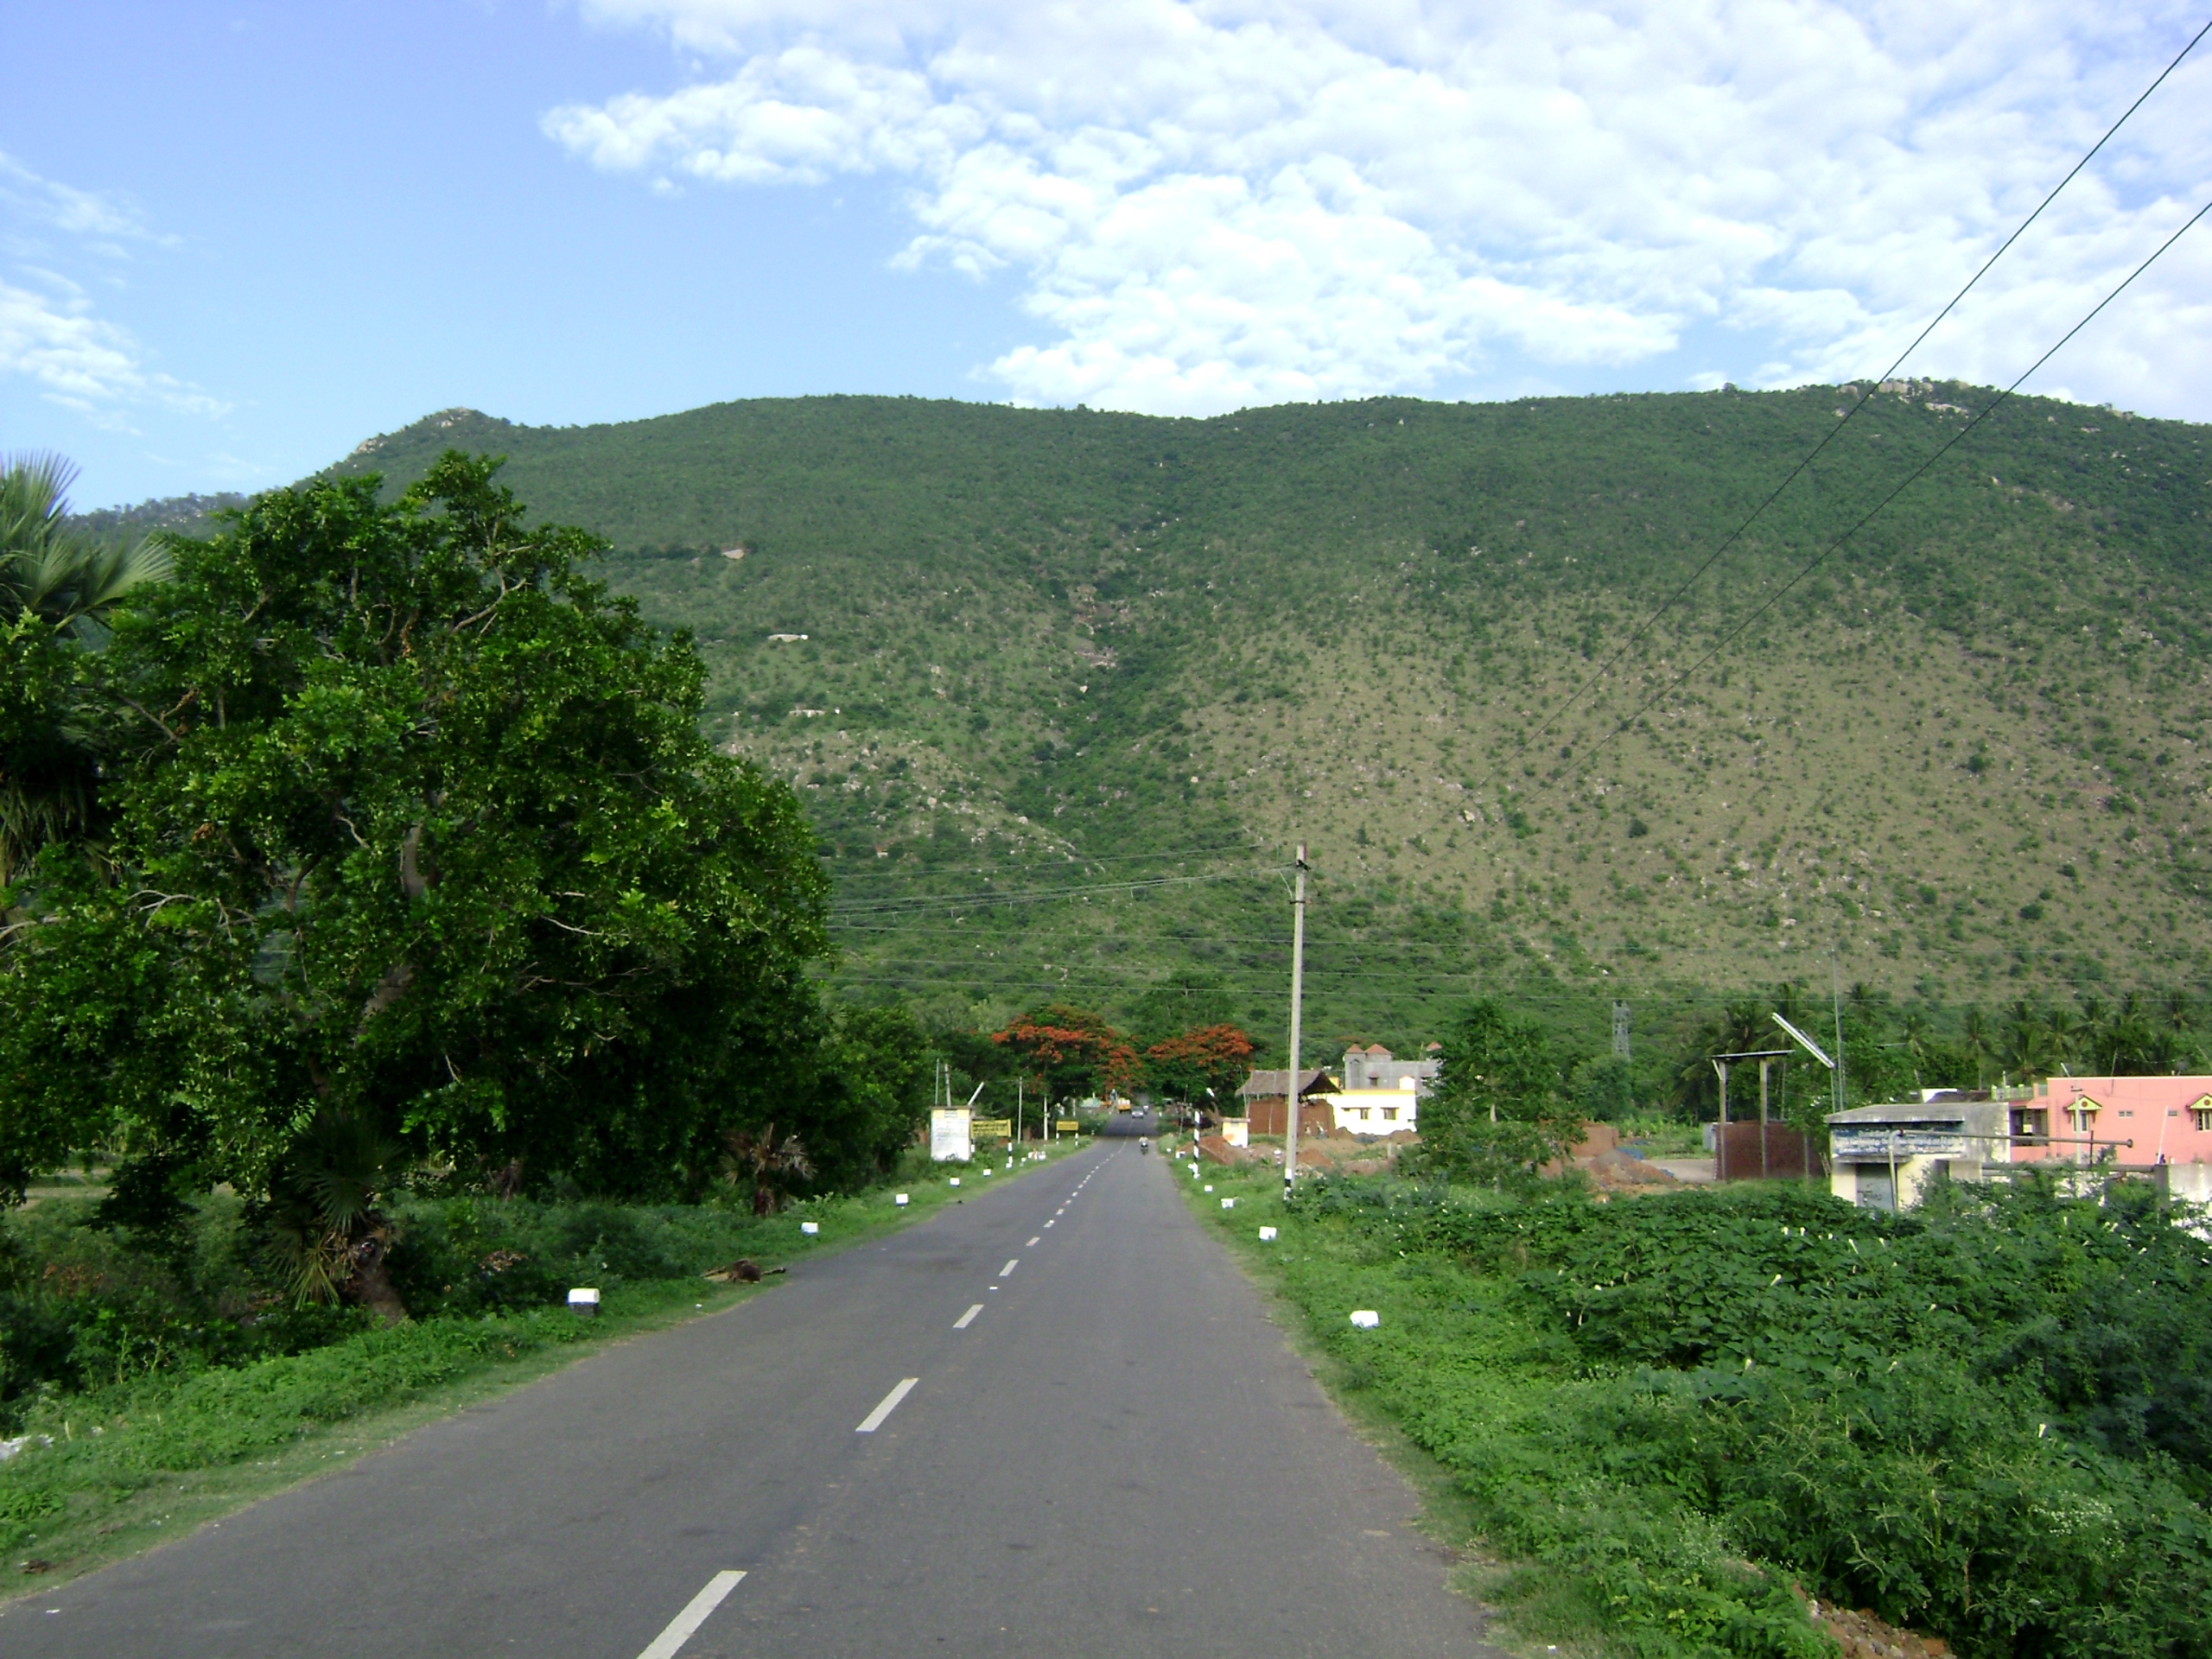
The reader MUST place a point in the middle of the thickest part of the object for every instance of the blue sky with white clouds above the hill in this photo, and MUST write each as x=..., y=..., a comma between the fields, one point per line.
x=238, y=240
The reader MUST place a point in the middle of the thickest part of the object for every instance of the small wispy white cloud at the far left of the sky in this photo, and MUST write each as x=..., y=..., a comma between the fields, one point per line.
x=48, y=326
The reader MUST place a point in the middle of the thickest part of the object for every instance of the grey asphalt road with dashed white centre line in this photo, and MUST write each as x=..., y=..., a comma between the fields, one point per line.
x=1050, y=1421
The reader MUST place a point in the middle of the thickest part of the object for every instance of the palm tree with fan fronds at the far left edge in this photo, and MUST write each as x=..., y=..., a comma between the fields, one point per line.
x=56, y=592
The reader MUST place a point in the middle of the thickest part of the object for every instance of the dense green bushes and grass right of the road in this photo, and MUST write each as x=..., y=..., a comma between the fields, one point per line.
x=1985, y=1421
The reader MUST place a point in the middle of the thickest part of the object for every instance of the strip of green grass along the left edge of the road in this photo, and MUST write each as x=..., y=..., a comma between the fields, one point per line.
x=116, y=1470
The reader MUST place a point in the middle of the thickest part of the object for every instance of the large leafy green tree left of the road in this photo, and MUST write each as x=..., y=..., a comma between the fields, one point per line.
x=413, y=826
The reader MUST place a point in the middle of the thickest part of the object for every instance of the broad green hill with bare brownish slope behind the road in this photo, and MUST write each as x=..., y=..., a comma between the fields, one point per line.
x=1043, y=651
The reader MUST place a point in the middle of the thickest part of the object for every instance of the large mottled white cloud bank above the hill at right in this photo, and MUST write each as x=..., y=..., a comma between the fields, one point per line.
x=1253, y=200
